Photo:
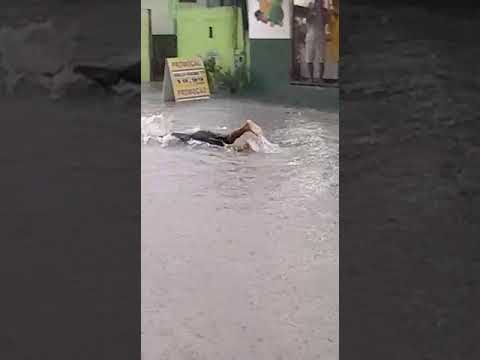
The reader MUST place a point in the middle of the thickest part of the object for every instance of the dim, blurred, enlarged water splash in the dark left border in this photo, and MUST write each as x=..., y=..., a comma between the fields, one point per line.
x=44, y=54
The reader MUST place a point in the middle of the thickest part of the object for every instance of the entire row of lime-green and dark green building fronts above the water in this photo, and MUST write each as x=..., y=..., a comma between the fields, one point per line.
x=268, y=36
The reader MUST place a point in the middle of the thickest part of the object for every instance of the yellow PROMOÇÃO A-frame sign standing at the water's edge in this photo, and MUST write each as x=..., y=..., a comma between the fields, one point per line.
x=185, y=79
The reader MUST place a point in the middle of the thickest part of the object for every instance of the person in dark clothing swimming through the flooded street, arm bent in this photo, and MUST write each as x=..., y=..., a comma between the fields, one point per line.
x=220, y=139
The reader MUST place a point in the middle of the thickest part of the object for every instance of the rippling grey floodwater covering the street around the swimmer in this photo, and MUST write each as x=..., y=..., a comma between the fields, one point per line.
x=239, y=250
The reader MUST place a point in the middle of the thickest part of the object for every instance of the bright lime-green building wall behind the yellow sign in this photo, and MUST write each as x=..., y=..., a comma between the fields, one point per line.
x=229, y=43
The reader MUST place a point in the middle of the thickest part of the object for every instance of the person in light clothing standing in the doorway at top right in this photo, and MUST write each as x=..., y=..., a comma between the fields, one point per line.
x=315, y=39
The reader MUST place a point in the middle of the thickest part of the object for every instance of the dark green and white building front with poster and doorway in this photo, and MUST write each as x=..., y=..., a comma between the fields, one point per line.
x=278, y=56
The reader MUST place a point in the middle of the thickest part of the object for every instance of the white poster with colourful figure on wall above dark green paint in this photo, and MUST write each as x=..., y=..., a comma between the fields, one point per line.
x=269, y=19
